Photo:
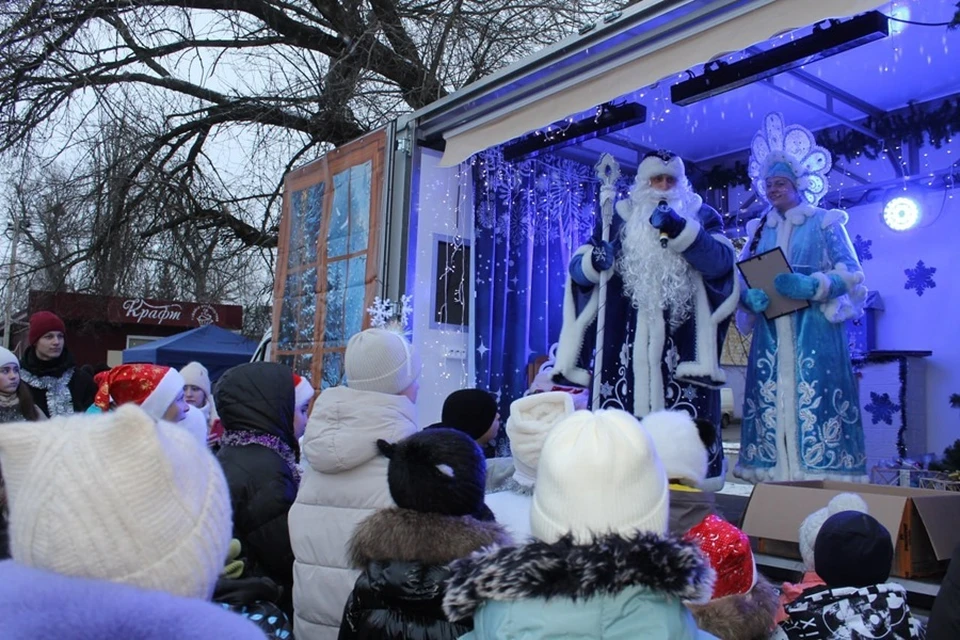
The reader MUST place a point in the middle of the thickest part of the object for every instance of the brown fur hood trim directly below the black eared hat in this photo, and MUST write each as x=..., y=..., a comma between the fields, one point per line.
x=404, y=535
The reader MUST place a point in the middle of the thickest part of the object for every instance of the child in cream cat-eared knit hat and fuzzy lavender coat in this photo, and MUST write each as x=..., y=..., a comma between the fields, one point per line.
x=119, y=528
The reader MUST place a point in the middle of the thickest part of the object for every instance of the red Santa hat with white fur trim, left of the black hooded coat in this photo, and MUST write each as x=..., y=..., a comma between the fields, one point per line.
x=151, y=386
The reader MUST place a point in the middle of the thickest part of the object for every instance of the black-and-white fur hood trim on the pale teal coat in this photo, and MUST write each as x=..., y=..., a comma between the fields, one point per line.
x=562, y=569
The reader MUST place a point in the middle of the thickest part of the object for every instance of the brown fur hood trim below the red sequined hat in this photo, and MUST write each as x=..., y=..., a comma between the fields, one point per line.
x=742, y=617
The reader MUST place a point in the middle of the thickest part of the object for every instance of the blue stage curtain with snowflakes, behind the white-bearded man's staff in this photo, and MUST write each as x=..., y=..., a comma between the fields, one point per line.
x=529, y=219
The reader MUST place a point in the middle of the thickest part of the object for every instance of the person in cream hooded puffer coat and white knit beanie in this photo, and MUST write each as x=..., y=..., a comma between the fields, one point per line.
x=345, y=478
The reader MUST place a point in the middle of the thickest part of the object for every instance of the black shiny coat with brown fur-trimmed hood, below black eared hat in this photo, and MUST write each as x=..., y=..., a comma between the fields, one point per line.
x=404, y=556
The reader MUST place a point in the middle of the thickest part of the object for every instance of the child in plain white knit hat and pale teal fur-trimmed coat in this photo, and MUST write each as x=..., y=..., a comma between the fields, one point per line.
x=602, y=565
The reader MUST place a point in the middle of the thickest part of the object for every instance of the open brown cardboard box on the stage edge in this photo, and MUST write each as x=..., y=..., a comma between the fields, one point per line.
x=924, y=524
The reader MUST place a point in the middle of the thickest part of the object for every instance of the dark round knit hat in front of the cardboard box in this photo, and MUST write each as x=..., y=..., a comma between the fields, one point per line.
x=853, y=550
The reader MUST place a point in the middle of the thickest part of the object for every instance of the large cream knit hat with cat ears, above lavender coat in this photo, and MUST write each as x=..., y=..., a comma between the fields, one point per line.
x=119, y=497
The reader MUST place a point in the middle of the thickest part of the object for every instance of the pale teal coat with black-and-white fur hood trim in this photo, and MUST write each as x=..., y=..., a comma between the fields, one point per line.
x=614, y=588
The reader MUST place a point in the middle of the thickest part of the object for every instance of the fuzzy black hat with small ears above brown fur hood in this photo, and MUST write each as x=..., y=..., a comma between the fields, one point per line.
x=436, y=471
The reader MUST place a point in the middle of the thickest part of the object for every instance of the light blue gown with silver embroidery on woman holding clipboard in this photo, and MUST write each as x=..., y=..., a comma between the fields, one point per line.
x=801, y=410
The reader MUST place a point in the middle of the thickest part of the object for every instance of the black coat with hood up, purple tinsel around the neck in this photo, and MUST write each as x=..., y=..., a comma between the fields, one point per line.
x=256, y=400
